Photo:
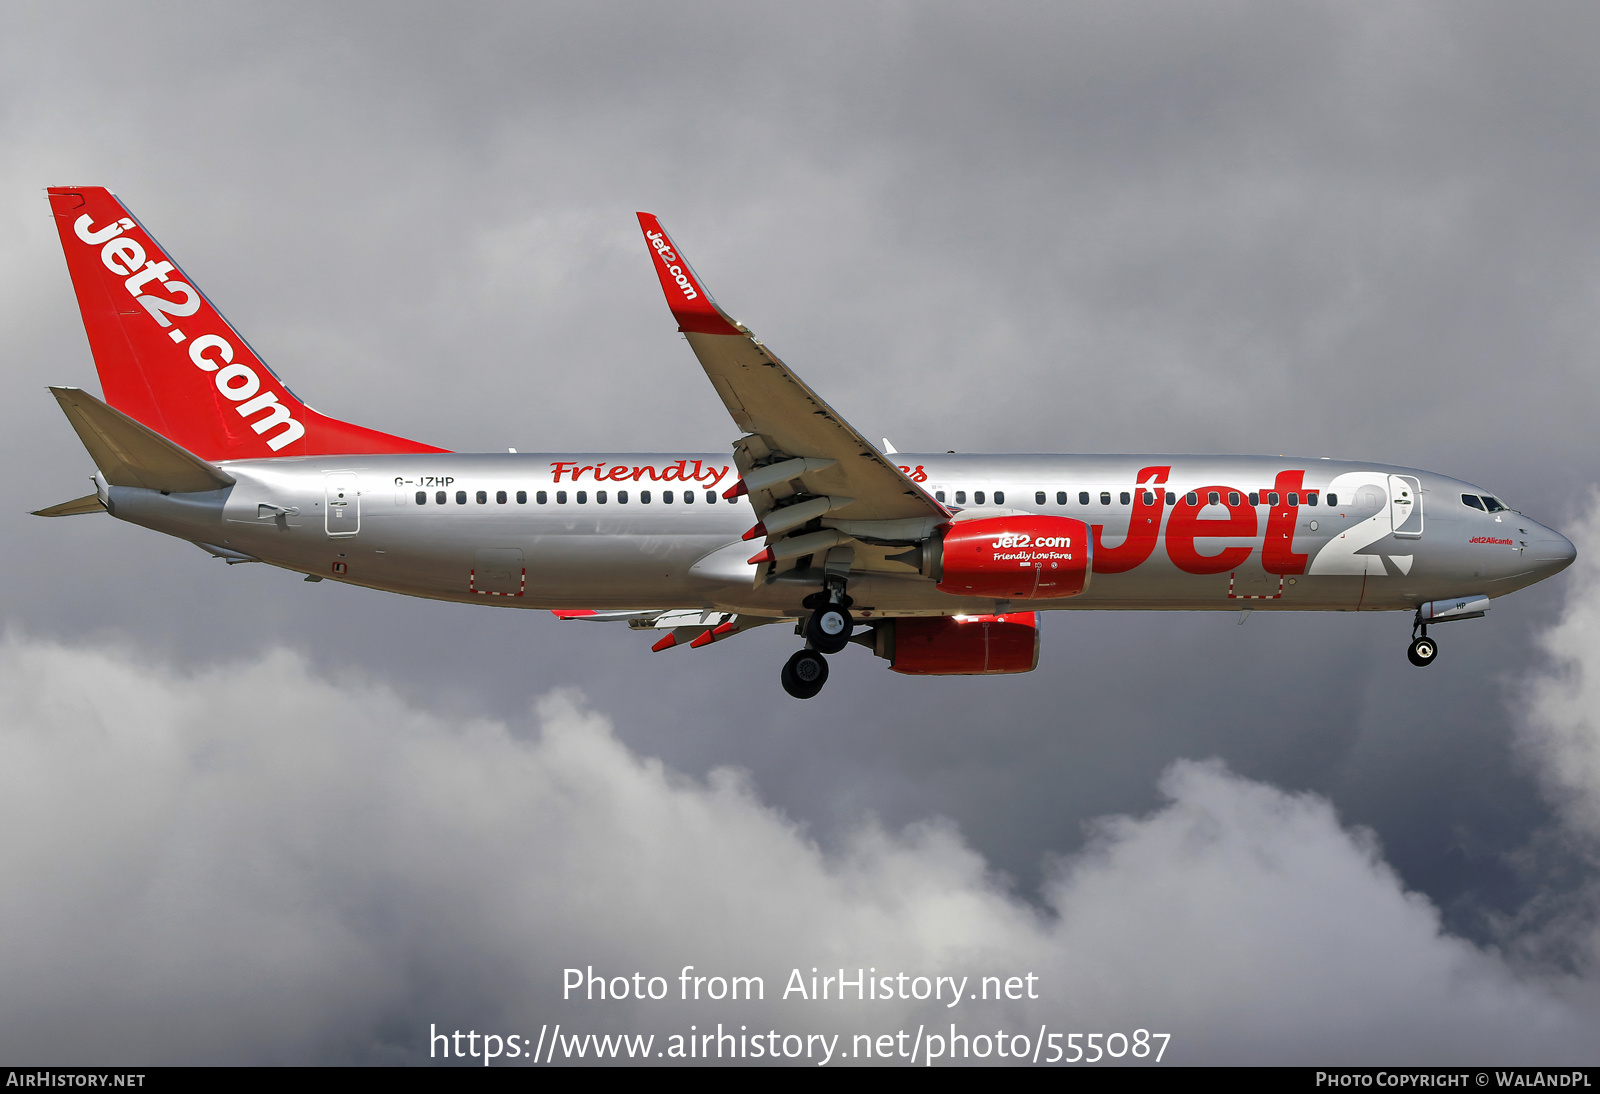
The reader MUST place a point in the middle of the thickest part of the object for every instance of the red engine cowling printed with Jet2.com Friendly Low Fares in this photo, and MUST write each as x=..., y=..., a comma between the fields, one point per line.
x=1015, y=557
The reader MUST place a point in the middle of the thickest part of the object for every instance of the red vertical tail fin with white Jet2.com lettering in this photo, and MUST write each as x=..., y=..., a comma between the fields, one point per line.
x=169, y=359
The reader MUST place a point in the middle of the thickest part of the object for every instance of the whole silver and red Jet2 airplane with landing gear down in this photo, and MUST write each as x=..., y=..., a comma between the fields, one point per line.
x=937, y=562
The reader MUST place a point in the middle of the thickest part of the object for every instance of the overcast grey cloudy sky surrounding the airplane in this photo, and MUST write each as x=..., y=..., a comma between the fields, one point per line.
x=246, y=818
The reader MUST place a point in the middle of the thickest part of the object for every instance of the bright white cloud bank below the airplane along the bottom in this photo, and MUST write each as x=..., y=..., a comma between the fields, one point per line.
x=258, y=863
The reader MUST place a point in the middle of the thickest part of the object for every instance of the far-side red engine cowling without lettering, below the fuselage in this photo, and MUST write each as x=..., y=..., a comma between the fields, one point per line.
x=959, y=645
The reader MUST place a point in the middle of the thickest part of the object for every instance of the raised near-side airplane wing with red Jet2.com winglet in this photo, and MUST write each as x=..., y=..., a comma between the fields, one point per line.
x=798, y=450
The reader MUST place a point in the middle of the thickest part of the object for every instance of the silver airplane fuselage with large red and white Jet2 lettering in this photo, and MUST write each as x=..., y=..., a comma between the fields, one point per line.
x=473, y=529
